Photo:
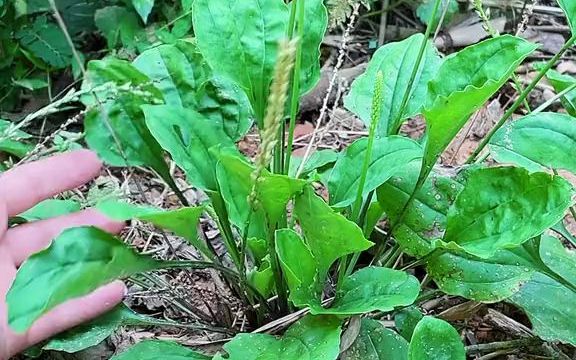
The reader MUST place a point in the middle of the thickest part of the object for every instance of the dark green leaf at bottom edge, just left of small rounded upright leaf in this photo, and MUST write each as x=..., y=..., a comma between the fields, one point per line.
x=375, y=342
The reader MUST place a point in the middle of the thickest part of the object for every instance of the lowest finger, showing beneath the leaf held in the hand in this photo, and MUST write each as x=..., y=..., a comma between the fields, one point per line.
x=75, y=312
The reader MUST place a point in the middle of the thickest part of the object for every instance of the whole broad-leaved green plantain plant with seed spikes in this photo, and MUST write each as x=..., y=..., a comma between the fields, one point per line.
x=483, y=233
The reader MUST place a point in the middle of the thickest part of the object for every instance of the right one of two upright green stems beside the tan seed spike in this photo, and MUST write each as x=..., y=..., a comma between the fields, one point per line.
x=295, y=92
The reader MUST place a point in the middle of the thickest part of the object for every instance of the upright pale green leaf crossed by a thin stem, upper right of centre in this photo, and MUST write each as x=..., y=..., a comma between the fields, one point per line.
x=396, y=61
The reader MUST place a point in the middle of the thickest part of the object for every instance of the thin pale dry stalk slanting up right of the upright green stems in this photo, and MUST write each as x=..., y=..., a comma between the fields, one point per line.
x=324, y=109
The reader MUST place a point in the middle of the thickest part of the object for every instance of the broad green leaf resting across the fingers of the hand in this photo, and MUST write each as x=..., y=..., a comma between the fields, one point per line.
x=78, y=262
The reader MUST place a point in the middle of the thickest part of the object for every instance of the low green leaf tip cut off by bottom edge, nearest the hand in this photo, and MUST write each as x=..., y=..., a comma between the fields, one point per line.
x=154, y=349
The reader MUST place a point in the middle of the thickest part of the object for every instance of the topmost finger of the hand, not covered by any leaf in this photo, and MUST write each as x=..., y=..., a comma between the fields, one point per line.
x=24, y=186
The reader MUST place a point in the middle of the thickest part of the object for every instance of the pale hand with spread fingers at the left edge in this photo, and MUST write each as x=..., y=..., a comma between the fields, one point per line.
x=20, y=189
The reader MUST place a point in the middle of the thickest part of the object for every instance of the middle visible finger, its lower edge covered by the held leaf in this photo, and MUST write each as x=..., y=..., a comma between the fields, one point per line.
x=25, y=240
